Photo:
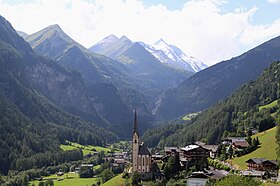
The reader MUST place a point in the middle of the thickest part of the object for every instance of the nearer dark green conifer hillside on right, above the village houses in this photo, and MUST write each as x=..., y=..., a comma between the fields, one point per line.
x=237, y=115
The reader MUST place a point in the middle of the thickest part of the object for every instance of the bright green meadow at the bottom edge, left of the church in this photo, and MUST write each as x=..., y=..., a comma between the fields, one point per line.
x=69, y=179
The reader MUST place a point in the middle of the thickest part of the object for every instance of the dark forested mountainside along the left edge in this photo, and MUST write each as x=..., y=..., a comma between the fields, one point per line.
x=31, y=126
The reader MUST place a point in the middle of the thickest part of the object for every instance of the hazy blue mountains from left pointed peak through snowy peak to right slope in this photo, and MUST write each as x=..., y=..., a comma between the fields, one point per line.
x=158, y=79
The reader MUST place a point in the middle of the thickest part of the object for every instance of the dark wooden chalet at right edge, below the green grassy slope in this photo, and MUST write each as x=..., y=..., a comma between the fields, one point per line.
x=262, y=164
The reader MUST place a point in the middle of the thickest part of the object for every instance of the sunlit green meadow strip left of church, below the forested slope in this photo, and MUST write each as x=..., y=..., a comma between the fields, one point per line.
x=86, y=149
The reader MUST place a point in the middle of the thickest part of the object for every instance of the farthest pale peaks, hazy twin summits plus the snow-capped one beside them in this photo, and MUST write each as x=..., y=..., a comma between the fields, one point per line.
x=170, y=55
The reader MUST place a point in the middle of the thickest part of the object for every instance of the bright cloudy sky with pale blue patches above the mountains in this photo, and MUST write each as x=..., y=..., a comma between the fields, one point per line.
x=210, y=30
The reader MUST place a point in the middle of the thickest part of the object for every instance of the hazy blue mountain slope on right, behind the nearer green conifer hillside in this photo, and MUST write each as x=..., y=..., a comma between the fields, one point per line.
x=209, y=86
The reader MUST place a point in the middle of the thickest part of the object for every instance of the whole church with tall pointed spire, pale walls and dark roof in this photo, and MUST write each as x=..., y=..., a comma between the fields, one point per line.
x=141, y=157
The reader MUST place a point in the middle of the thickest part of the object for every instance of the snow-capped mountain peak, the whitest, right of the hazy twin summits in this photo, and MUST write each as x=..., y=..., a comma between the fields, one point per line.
x=174, y=57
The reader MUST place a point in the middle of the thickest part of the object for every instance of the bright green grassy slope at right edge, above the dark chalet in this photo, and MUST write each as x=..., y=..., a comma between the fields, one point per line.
x=267, y=149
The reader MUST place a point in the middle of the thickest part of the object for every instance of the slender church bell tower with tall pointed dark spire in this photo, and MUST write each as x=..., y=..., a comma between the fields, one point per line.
x=135, y=144
